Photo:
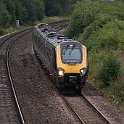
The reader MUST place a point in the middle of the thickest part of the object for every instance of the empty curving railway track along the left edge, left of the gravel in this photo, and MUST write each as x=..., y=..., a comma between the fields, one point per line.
x=9, y=105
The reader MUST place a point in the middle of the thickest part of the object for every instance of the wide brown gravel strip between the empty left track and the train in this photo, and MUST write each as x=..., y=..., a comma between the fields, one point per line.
x=39, y=100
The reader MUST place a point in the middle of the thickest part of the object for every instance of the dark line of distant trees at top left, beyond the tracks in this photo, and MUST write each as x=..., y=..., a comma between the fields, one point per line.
x=30, y=10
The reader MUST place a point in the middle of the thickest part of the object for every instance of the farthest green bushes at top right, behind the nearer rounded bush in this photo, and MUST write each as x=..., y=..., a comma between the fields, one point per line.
x=88, y=12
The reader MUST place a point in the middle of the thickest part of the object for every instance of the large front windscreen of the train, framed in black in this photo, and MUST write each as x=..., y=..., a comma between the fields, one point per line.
x=71, y=55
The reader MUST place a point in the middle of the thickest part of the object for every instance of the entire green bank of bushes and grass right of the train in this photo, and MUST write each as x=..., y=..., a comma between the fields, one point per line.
x=99, y=25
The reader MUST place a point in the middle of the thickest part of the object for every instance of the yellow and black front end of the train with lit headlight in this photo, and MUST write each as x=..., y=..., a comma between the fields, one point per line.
x=72, y=66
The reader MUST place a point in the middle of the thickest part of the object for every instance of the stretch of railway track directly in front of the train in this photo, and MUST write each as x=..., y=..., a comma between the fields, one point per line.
x=85, y=111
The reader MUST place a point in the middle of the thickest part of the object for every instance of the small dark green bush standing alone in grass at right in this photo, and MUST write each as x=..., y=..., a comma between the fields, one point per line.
x=109, y=71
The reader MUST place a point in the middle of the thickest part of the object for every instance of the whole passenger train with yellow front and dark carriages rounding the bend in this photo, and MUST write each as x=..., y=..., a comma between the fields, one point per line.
x=65, y=59
